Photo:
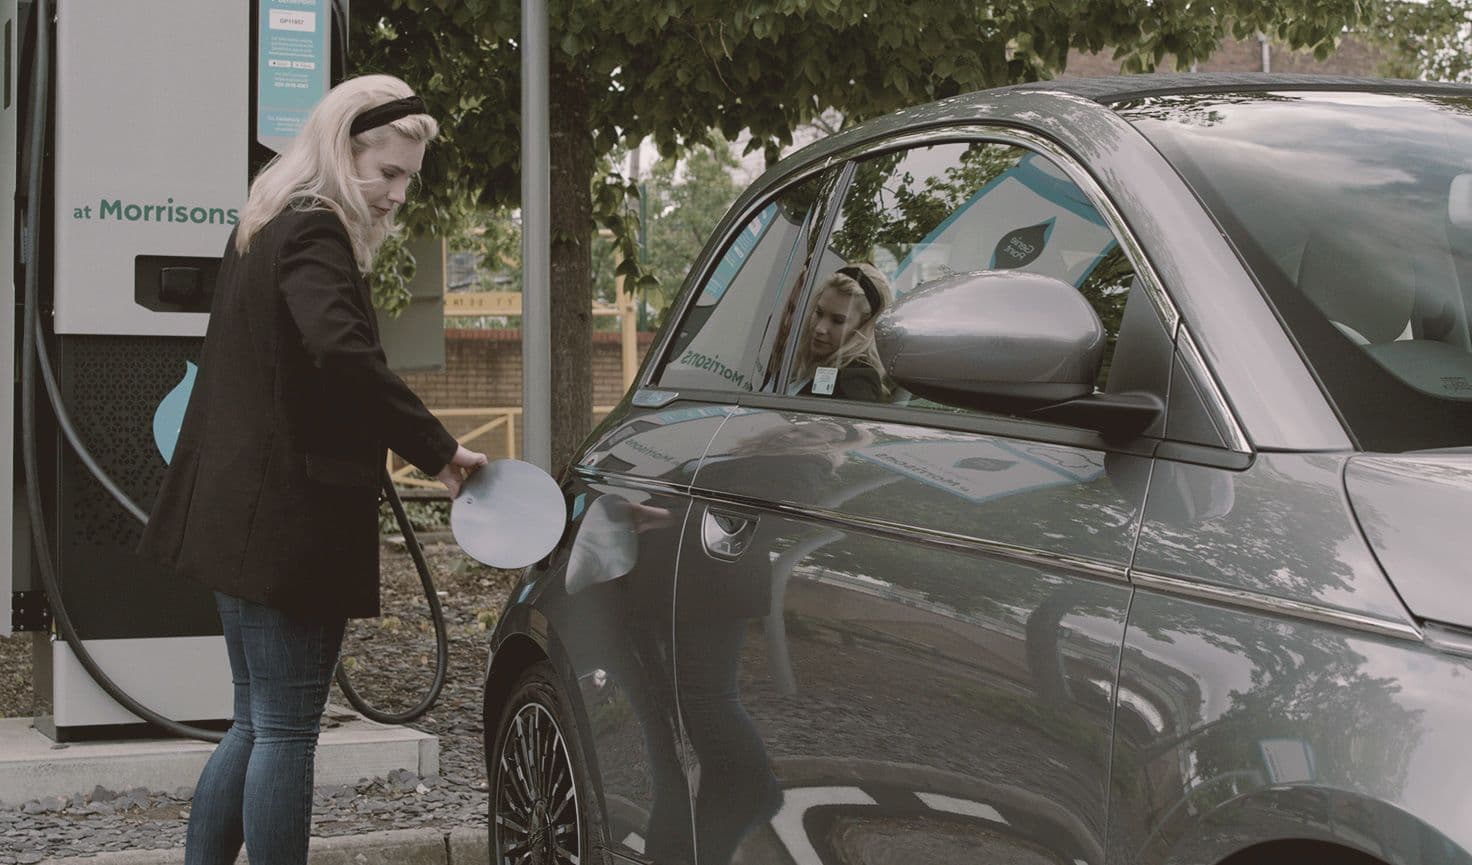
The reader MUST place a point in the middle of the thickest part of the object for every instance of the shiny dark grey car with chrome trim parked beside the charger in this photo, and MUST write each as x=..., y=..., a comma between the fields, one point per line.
x=1152, y=552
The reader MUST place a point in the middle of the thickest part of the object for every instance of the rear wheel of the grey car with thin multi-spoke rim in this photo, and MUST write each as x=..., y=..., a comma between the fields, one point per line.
x=541, y=813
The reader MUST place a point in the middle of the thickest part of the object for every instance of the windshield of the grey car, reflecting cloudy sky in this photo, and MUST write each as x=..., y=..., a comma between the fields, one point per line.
x=1355, y=214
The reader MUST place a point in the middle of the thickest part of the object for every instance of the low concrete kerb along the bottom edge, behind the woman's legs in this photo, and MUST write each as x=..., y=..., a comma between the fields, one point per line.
x=463, y=847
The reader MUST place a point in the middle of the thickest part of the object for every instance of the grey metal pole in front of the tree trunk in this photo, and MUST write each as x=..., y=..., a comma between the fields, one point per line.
x=537, y=241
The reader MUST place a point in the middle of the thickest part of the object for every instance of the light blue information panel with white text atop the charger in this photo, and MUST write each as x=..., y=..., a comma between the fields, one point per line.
x=292, y=68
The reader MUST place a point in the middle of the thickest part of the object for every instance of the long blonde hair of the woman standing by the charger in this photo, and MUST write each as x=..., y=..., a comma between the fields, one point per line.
x=316, y=173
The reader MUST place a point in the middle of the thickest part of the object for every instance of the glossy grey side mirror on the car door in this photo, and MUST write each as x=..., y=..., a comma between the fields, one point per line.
x=1008, y=342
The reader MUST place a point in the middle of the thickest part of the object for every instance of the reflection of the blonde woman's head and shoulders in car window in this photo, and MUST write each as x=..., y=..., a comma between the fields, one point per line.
x=838, y=355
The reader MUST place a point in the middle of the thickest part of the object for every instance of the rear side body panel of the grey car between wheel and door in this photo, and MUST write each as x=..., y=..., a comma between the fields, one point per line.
x=607, y=599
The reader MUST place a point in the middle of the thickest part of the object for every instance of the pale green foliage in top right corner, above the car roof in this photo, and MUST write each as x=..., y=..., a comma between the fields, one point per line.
x=1430, y=40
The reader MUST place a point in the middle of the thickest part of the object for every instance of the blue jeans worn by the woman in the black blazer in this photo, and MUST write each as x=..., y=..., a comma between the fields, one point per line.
x=257, y=788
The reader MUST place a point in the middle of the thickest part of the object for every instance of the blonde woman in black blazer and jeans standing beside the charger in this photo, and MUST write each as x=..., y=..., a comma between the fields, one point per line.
x=272, y=498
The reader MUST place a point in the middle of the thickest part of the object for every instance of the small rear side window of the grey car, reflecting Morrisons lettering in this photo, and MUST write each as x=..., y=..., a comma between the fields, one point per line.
x=721, y=342
